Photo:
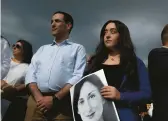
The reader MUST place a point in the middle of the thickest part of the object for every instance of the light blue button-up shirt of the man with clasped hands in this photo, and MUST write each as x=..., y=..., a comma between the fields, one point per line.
x=55, y=65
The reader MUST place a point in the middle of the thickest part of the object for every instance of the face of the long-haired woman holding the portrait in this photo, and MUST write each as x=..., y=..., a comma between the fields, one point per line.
x=111, y=35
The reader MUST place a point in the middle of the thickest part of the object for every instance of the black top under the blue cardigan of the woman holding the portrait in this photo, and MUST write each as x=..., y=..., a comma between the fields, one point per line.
x=114, y=74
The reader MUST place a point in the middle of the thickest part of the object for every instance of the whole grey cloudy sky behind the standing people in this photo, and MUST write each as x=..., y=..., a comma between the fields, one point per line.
x=30, y=20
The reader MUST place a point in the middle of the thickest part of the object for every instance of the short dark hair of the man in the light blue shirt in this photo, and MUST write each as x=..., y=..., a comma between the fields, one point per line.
x=67, y=18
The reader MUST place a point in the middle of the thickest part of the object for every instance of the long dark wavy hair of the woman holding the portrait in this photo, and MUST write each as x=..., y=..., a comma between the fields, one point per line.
x=127, y=54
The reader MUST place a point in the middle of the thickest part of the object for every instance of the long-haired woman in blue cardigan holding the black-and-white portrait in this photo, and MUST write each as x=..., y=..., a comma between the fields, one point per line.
x=126, y=74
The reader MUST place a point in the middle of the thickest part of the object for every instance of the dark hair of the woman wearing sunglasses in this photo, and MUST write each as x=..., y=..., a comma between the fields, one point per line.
x=27, y=51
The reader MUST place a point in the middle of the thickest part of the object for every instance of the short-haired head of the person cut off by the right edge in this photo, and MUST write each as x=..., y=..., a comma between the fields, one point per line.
x=164, y=34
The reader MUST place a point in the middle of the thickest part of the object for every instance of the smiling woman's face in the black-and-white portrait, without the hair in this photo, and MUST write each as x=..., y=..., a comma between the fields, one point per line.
x=90, y=103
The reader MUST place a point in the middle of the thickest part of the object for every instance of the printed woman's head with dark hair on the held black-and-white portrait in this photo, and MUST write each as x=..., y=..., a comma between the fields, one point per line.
x=88, y=102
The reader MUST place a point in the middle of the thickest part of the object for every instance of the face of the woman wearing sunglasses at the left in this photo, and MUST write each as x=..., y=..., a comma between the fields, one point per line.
x=17, y=49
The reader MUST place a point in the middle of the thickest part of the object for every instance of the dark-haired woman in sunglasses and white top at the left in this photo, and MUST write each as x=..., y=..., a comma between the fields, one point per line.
x=13, y=87
